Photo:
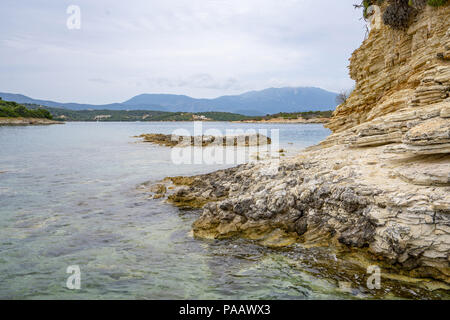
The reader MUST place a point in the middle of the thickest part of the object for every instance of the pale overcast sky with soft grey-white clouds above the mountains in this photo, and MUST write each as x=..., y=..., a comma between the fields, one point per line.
x=200, y=48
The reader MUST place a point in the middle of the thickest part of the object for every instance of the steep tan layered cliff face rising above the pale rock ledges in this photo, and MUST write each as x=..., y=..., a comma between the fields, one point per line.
x=397, y=70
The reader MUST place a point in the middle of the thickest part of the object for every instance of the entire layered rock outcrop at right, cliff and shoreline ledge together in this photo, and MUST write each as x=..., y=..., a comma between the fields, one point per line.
x=380, y=184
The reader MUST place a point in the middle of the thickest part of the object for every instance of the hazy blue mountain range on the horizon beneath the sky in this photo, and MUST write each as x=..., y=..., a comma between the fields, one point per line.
x=263, y=102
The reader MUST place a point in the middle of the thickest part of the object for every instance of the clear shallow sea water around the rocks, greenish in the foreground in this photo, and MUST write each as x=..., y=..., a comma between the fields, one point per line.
x=69, y=196
